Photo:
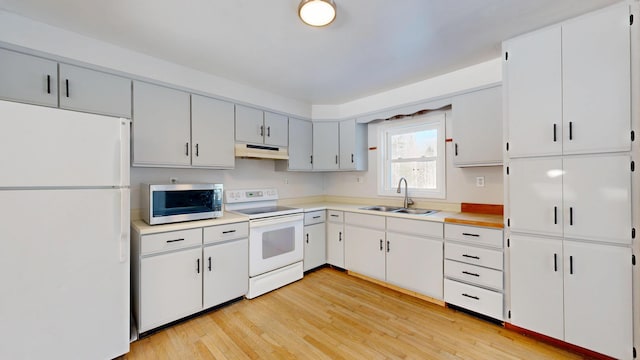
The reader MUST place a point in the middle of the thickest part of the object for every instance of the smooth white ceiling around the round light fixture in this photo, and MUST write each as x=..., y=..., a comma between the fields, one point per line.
x=372, y=46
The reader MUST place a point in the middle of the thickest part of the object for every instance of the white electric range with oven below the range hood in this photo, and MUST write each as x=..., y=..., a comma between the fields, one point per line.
x=275, y=238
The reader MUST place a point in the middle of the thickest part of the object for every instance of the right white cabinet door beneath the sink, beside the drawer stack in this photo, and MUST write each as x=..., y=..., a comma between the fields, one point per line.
x=415, y=263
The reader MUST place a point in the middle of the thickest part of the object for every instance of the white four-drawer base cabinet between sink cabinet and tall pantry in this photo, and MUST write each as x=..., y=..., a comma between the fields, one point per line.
x=473, y=269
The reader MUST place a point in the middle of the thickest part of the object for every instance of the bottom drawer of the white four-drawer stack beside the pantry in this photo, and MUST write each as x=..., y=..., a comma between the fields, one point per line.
x=473, y=298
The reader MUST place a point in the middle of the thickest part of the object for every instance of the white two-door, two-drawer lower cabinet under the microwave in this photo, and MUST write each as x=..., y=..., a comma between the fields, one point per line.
x=174, y=276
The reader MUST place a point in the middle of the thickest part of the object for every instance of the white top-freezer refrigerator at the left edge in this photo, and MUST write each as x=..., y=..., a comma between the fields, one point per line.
x=64, y=234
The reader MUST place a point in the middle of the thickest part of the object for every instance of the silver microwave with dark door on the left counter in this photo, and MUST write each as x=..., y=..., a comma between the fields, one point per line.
x=170, y=203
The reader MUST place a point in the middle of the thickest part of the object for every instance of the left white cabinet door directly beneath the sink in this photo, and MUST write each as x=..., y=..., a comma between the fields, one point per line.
x=364, y=251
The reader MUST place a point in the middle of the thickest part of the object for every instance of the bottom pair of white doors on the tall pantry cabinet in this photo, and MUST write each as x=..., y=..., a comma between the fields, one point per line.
x=574, y=291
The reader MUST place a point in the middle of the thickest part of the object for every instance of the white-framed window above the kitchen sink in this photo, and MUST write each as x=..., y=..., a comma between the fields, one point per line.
x=413, y=149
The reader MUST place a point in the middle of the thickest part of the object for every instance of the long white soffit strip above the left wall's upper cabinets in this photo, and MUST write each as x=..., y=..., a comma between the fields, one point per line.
x=20, y=31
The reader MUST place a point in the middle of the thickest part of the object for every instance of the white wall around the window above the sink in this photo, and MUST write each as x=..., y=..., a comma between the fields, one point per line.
x=461, y=182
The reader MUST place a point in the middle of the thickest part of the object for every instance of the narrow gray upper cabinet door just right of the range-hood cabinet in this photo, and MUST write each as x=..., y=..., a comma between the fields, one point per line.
x=300, y=144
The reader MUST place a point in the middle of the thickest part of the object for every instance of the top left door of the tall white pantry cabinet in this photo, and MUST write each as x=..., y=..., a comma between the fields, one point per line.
x=533, y=87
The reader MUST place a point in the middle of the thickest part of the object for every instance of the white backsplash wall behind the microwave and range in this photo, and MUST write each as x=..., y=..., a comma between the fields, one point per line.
x=248, y=173
